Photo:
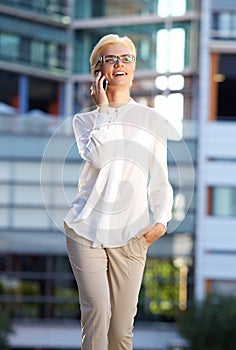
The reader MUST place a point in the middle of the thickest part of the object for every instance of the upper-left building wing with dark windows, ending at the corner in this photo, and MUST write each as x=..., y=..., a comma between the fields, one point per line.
x=33, y=54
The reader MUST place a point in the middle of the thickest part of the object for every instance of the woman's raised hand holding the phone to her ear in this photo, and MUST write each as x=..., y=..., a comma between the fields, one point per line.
x=97, y=91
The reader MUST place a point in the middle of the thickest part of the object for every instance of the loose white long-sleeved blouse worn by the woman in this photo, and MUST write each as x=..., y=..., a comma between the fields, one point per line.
x=124, y=176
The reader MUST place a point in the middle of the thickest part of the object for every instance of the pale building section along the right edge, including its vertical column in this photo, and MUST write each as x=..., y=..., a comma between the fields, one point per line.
x=216, y=221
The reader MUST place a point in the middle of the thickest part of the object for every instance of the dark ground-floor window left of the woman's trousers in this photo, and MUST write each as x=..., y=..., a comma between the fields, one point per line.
x=38, y=287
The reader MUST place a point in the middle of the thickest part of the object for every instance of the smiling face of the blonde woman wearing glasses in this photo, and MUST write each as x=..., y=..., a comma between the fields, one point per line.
x=117, y=73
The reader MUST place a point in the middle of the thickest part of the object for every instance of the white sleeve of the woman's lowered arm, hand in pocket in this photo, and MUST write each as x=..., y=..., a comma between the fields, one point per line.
x=159, y=189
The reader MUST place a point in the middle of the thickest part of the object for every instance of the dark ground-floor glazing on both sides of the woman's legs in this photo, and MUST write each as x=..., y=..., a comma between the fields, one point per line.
x=42, y=287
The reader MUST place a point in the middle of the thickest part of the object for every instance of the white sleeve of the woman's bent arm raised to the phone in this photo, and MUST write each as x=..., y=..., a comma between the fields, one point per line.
x=95, y=137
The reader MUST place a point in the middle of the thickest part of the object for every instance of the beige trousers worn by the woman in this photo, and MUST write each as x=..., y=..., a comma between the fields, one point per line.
x=109, y=281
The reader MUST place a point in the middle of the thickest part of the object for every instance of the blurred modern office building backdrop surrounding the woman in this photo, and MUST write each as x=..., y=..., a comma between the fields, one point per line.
x=186, y=69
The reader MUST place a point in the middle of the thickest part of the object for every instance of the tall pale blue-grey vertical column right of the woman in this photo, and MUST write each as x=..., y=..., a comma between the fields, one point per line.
x=204, y=107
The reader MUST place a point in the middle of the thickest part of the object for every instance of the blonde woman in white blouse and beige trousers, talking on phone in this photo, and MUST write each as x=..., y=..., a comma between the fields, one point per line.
x=108, y=227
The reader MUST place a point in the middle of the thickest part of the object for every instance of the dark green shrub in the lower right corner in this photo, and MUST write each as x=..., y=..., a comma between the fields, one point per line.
x=210, y=324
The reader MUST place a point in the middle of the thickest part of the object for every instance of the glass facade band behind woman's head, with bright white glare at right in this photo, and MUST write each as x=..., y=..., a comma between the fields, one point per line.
x=158, y=49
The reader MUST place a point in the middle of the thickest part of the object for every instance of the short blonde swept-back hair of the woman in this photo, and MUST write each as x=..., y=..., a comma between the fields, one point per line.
x=109, y=40
